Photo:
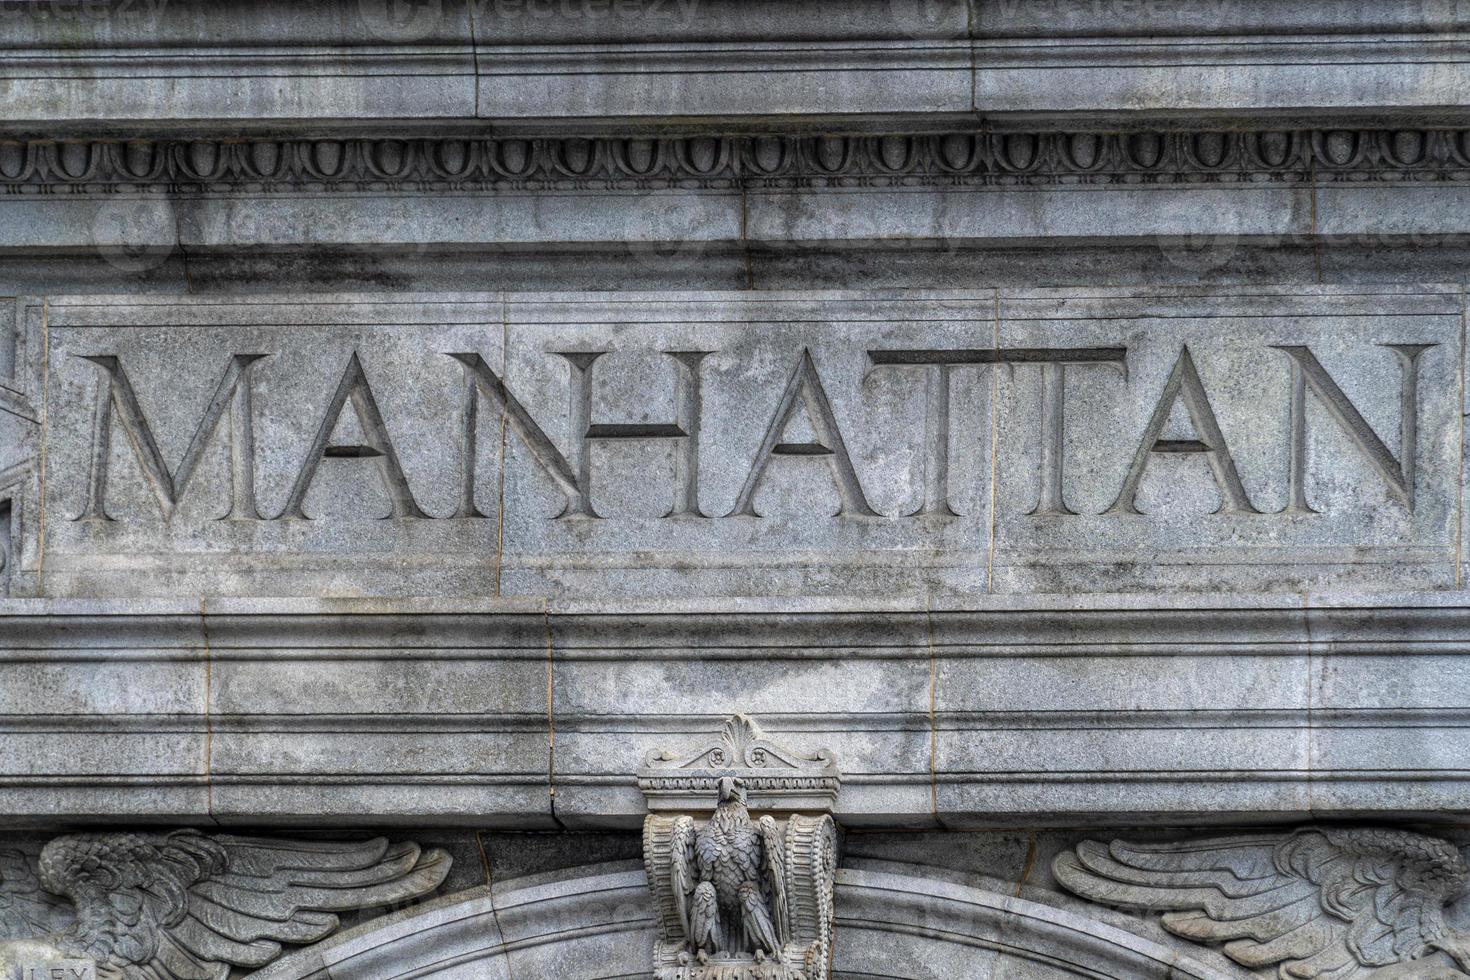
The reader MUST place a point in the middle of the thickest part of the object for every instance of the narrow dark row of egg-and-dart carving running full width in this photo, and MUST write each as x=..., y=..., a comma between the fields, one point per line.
x=712, y=164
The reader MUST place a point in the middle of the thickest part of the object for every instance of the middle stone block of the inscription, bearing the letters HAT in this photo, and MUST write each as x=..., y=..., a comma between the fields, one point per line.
x=808, y=456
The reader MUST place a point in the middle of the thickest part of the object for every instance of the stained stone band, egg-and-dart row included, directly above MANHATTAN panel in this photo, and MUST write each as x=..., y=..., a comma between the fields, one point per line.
x=1152, y=205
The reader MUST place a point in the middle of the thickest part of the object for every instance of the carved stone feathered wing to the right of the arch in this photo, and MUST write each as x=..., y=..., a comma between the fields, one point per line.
x=1318, y=904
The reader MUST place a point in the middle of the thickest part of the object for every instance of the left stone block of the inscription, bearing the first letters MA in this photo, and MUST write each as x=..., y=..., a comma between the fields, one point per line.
x=359, y=383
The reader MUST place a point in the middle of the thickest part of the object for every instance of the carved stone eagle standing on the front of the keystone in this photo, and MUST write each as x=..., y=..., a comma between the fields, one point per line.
x=730, y=881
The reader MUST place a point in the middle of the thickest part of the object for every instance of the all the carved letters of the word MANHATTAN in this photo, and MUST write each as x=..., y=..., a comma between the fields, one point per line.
x=805, y=393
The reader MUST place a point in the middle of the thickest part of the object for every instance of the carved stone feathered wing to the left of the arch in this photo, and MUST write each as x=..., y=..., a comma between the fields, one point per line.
x=187, y=907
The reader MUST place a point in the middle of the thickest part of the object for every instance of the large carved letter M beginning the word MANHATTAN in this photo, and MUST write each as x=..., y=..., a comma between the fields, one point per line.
x=117, y=399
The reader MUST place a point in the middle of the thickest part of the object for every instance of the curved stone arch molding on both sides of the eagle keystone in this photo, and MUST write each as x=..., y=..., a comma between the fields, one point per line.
x=596, y=923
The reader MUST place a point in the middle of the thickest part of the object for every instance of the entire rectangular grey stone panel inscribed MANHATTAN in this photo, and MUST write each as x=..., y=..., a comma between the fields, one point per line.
x=880, y=444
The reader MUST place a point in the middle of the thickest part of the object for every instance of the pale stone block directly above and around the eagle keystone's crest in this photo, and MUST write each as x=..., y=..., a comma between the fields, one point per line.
x=674, y=688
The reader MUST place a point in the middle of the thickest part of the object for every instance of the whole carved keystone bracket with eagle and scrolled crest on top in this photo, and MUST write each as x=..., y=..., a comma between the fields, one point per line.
x=742, y=898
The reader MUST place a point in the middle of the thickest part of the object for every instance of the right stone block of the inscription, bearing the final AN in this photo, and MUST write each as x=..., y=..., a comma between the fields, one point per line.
x=1193, y=465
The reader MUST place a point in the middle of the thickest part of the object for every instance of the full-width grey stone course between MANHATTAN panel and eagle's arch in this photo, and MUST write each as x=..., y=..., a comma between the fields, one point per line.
x=1044, y=710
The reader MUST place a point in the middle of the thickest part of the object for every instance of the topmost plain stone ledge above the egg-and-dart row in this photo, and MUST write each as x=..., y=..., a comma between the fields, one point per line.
x=603, y=62
